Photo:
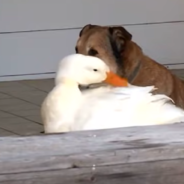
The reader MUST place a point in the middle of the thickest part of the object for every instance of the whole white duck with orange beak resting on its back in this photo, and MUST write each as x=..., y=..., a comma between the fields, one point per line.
x=67, y=108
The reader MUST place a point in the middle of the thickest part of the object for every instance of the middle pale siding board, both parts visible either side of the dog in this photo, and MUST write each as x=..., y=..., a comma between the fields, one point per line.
x=40, y=52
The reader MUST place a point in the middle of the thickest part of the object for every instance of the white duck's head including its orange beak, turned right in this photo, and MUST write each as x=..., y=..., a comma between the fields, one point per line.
x=86, y=70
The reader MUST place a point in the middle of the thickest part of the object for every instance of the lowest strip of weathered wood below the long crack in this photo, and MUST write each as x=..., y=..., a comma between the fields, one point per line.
x=163, y=172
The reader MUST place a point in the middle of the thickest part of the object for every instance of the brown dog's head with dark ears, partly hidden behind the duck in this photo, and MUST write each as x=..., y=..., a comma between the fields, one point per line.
x=107, y=43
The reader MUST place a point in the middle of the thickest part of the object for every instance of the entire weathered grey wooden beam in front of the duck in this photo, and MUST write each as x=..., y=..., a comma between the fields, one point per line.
x=138, y=155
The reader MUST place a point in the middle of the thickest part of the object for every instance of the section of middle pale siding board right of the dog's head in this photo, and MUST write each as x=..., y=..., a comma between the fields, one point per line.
x=163, y=42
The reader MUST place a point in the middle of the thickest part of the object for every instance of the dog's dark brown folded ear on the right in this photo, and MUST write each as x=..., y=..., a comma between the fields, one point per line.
x=120, y=36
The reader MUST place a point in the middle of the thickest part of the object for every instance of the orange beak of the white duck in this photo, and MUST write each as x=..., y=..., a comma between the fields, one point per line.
x=115, y=80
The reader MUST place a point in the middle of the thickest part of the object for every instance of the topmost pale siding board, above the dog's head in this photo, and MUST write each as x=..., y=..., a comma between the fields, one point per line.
x=23, y=15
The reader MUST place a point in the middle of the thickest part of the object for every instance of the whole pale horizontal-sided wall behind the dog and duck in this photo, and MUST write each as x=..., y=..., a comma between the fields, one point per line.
x=36, y=34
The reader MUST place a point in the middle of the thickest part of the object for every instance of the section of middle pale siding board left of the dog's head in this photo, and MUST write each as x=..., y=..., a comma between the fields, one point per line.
x=37, y=52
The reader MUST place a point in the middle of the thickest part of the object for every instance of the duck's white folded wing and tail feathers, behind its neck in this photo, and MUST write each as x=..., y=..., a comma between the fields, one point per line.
x=122, y=107
